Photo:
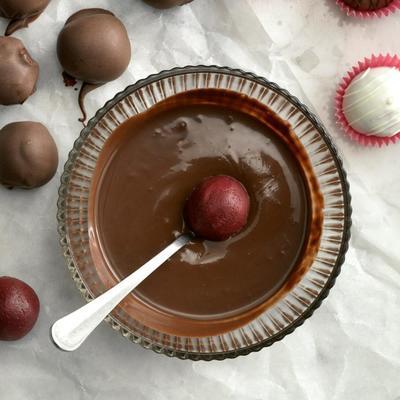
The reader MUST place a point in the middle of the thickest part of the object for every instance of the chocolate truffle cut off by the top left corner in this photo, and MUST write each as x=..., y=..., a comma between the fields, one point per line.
x=21, y=12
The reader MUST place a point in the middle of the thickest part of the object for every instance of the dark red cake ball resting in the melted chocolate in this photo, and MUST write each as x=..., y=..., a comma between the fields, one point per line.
x=218, y=208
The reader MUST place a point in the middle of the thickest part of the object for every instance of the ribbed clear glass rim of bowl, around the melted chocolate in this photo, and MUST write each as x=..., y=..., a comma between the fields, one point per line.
x=287, y=313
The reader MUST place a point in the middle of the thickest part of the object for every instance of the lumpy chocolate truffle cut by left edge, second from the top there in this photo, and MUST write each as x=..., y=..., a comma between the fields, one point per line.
x=18, y=72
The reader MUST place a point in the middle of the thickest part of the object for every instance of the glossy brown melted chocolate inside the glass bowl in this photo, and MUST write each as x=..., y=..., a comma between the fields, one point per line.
x=148, y=168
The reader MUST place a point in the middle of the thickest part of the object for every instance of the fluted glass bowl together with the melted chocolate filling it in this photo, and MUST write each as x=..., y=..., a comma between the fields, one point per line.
x=125, y=185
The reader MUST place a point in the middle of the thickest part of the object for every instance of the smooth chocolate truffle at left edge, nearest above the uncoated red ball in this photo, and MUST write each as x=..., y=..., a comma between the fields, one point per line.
x=28, y=155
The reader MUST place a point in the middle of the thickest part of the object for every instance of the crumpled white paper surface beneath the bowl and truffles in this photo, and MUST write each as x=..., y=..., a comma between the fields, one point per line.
x=350, y=348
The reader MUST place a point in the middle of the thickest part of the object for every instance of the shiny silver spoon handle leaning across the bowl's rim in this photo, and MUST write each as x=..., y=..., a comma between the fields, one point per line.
x=69, y=332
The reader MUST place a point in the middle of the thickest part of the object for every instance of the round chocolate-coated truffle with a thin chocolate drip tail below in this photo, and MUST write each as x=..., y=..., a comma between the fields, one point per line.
x=94, y=47
